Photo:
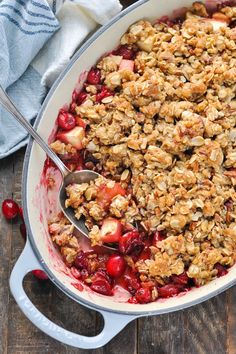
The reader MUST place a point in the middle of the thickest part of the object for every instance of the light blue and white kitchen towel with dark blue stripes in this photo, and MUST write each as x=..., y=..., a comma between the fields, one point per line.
x=37, y=39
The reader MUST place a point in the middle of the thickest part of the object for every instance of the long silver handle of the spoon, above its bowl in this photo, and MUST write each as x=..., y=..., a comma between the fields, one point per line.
x=10, y=107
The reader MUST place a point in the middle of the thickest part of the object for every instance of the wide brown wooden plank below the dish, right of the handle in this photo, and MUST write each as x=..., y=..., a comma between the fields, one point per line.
x=198, y=330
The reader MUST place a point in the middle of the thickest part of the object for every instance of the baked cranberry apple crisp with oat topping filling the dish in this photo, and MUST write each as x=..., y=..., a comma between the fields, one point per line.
x=156, y=118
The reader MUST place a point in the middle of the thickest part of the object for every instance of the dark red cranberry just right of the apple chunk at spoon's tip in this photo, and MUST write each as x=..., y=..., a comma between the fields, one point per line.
x=131, y=242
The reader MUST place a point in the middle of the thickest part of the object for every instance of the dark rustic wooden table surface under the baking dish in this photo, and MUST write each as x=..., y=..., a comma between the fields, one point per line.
x=206, y=328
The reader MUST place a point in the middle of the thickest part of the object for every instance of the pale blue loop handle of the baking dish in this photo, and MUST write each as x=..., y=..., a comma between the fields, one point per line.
x=113, y=322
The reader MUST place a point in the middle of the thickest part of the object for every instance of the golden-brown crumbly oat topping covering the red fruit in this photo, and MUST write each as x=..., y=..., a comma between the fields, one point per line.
x=168, y=132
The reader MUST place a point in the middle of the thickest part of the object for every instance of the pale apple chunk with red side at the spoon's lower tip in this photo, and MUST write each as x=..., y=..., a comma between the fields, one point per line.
x=111, y=230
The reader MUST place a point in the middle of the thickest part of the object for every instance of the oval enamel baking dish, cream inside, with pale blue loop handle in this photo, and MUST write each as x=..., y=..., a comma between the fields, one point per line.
x=39, y=252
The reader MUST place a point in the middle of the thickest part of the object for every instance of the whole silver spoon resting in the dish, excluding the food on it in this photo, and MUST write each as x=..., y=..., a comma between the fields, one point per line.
x=69, y=177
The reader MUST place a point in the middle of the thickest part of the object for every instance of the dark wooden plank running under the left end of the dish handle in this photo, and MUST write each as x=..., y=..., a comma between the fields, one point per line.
x=23, y=337
